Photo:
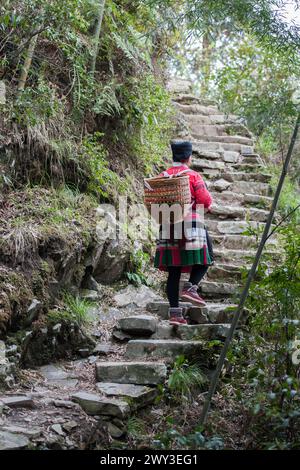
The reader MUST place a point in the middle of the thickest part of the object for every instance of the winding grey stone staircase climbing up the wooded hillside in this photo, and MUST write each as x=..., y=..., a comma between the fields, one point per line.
x=224, y=154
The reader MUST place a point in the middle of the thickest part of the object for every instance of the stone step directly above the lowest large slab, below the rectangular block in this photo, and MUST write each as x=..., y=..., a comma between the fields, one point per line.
x=137, y=396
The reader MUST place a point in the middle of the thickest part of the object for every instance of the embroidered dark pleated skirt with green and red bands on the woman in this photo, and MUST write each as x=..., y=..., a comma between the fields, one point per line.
x=181, y=246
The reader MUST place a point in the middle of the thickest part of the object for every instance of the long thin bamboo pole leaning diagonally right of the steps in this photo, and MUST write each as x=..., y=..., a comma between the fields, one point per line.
x=216, y=376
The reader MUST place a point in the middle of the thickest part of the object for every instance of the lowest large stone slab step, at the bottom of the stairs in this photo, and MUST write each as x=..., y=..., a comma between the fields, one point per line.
x=95, y=405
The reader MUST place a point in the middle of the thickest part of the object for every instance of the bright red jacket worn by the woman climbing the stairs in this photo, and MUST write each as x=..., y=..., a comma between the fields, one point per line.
x=199, y=192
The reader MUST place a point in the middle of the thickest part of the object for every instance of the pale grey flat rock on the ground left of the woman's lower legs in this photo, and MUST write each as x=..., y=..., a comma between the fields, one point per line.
x=135, y=296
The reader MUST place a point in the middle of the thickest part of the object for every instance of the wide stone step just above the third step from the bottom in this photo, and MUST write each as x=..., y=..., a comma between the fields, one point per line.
x=156, y=348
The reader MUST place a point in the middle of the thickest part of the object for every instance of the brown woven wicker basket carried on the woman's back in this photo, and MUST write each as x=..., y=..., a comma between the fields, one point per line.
x=168, y=190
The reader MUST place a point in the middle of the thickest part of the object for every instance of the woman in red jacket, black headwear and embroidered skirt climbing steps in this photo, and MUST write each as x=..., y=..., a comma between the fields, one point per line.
x=192, y=250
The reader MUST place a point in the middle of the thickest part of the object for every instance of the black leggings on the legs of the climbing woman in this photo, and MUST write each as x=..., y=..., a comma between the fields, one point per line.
x=197, y=273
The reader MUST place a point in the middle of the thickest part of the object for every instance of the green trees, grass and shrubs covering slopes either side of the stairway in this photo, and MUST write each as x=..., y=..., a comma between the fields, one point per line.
x=85, y=117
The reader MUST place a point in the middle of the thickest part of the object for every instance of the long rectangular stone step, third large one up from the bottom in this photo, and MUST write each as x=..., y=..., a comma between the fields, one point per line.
x=139, y=373
